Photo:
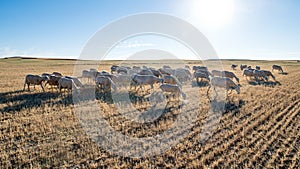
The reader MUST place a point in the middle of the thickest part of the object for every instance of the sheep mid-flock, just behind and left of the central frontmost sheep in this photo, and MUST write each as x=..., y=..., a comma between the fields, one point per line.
x=145, y=80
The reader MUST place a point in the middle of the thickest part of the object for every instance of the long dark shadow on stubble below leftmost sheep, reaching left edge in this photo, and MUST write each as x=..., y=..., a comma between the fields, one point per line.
x=15, y=101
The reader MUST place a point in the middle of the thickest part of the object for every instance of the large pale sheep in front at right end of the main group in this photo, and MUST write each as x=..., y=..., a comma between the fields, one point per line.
x=223, y=82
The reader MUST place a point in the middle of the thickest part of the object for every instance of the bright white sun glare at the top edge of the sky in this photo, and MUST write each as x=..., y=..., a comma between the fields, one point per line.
x=212, y=13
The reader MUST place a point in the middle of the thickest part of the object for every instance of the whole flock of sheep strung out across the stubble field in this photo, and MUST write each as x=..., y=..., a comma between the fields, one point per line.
x=170, y=80
